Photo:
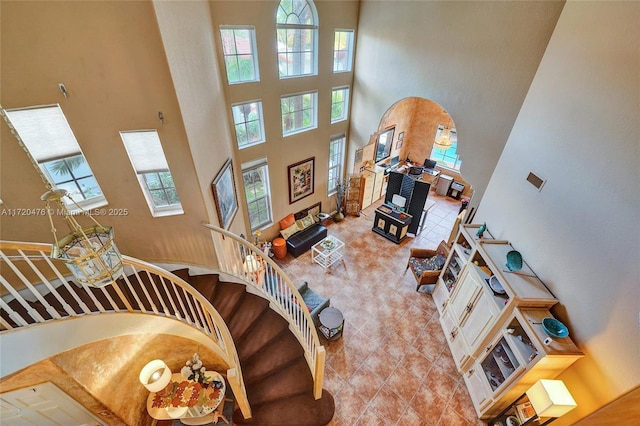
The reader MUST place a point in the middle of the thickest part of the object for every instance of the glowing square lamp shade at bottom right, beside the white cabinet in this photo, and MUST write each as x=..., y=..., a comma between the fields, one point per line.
x=551, y=398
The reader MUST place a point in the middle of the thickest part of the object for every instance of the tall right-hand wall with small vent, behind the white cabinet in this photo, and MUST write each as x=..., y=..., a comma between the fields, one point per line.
x=580, y=233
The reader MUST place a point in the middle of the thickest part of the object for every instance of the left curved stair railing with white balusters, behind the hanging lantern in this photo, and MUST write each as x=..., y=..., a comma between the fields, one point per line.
x=34, y=291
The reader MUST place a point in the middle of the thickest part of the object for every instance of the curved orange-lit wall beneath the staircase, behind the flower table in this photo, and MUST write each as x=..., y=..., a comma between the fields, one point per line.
x=103, y=376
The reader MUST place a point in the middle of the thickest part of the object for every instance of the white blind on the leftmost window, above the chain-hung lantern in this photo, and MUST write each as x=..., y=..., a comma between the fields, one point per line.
x=45, y=131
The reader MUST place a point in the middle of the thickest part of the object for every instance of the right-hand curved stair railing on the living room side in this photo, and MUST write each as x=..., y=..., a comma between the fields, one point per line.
x=239, y=258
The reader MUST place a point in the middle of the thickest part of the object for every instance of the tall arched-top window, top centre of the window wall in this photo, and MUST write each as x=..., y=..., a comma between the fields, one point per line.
x=297, y=28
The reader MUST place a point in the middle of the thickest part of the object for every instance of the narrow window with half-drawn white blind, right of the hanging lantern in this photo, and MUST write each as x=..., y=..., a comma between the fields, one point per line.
x=148, y=161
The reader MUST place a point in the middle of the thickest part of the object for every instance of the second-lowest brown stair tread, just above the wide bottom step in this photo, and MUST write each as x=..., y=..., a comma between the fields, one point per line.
x=293, y=379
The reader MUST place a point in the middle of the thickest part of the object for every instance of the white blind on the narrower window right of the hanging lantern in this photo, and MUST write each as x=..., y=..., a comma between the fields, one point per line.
x=145, y=151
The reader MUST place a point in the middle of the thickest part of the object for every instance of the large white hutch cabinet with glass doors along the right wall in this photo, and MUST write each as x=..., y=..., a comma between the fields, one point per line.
x=491, y=319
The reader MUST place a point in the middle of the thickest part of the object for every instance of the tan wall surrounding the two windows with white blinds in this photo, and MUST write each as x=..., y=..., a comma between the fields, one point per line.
x=111, y=59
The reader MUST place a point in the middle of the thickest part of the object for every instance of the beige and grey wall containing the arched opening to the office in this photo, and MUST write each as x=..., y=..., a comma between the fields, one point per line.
x=475, y=59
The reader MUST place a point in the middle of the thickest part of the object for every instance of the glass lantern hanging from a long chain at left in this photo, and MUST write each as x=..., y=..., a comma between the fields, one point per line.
x=90, y=253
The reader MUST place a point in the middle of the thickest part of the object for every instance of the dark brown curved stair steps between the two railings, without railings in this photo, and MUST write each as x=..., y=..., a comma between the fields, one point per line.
x=277, y=377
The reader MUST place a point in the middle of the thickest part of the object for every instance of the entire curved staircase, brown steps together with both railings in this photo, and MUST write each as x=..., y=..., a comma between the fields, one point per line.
x=280, y=362
